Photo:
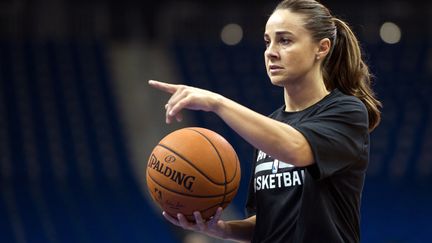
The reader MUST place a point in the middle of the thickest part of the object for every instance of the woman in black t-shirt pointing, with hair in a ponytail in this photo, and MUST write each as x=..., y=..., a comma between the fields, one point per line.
x=311, y=153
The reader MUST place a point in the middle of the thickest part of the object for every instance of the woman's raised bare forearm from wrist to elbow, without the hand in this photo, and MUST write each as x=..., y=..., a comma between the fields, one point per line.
x=277, y=139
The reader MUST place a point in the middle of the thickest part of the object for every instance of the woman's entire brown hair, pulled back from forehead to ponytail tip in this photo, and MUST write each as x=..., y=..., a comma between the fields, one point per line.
x=344, y=67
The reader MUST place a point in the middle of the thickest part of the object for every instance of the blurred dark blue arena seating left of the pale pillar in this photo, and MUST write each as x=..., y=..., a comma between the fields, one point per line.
x=65, y=174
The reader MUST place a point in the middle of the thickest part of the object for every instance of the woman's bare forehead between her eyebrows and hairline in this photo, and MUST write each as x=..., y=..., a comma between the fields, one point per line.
x=284, y=20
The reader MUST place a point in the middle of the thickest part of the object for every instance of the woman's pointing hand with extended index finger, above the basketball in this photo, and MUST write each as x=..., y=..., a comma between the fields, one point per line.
x=185, y=97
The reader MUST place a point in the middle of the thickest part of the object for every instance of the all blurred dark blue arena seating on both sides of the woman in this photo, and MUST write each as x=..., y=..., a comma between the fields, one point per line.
x=65, y=174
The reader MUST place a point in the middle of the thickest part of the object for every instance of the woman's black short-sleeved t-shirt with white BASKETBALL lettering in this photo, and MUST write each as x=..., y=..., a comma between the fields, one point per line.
x=321, y=202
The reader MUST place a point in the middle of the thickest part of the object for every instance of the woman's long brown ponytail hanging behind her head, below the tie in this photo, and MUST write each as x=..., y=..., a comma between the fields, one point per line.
x=345, y=69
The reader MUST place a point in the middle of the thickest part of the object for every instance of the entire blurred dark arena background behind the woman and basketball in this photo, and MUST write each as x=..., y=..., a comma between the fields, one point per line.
x=78, y=120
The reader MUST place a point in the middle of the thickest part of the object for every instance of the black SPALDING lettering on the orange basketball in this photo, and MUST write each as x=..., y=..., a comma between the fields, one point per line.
x=180, y=178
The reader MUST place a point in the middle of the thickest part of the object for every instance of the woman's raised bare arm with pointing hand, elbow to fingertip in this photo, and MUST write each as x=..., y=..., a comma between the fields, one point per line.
x=277, y=139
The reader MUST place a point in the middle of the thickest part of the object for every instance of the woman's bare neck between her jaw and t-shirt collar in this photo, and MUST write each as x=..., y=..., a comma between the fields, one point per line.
x=301, y=95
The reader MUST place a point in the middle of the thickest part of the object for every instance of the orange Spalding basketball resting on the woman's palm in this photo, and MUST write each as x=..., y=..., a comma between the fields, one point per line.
x=193, y=169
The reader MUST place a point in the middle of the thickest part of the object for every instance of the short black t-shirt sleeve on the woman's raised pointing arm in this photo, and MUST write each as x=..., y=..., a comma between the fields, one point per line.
x=336, y=135
